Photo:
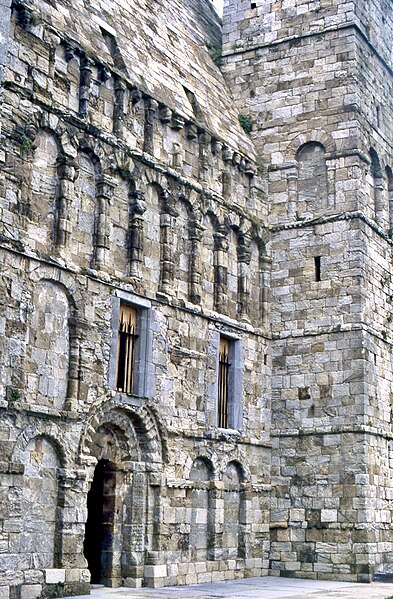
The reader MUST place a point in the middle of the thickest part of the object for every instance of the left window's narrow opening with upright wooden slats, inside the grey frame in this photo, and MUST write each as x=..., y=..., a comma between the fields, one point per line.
x=127, y=336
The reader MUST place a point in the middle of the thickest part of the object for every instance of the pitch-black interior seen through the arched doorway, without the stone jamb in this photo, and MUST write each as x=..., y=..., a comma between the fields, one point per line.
x=94, y=531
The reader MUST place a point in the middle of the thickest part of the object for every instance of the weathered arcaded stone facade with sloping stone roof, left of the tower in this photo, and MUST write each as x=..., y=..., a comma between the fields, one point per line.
x=121, y=184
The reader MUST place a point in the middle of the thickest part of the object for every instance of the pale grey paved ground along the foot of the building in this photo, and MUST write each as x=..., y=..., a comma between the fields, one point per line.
x=255, y=588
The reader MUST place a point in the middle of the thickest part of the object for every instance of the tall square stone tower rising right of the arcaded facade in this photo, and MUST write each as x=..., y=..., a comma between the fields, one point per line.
x=315, y=81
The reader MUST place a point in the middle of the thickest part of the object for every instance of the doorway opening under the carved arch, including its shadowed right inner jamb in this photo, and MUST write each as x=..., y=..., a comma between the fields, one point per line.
x=101, y=525
